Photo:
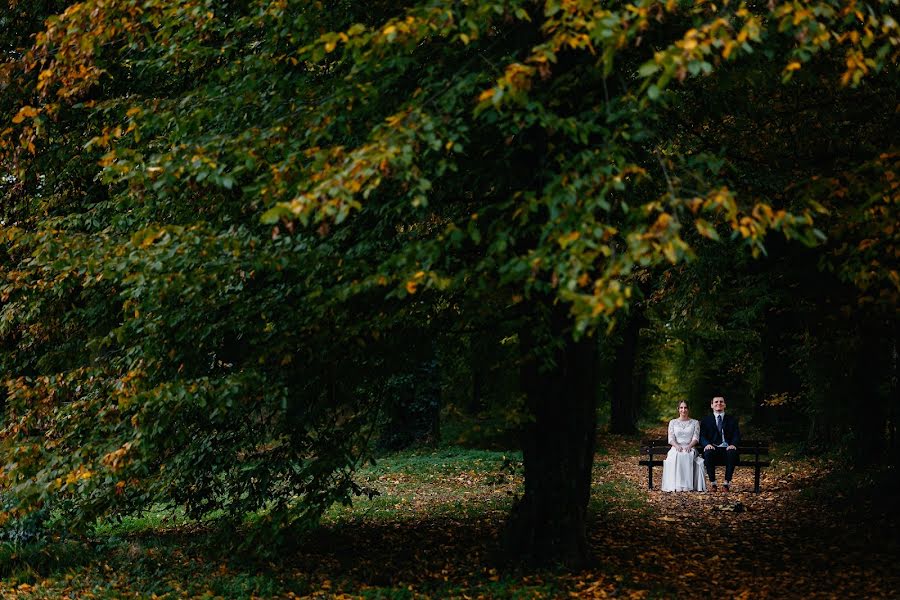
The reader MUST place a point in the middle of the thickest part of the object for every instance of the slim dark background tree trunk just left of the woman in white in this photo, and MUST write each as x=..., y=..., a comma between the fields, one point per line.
x=624, y=392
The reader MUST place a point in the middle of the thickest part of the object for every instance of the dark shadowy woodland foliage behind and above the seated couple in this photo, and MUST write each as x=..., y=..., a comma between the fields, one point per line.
x=785, y=329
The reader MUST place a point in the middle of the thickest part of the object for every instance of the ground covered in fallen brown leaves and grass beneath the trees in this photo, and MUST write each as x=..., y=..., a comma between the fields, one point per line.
x=434, y=532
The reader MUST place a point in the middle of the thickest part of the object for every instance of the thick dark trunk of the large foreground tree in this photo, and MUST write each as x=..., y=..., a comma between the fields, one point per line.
x=548, y=524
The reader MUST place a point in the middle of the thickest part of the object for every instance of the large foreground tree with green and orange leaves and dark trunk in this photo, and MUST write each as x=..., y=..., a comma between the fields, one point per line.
x=222, y=219
